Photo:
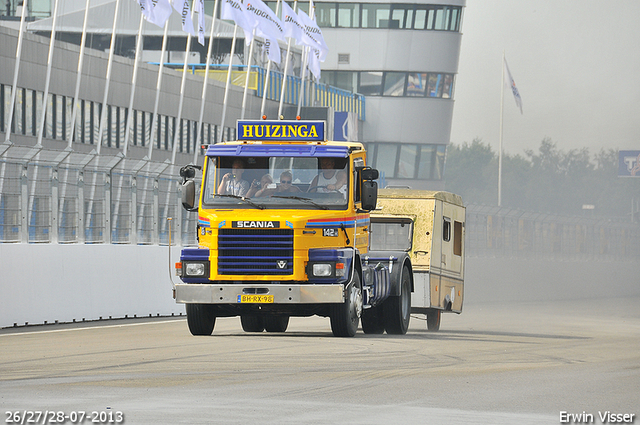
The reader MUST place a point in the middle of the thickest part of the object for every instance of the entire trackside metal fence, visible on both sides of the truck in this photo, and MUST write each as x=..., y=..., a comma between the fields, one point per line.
x=51, y=196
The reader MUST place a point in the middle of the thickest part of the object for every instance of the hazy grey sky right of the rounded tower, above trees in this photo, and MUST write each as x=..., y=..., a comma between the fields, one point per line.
x=576, y=64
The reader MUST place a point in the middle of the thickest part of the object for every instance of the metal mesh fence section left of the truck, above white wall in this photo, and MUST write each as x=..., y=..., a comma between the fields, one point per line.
x=69, y=197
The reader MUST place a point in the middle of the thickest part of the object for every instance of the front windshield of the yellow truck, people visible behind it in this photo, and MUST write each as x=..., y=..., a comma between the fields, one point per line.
x=276, y=182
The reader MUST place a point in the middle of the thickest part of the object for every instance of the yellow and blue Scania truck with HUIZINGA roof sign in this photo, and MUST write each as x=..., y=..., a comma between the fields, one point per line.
x=284, y=230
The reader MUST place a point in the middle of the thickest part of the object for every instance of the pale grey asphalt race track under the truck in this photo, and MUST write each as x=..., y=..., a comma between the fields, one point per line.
x=521, y=363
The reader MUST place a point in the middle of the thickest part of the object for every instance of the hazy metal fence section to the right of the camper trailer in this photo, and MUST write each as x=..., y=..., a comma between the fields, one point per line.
x=502, y=232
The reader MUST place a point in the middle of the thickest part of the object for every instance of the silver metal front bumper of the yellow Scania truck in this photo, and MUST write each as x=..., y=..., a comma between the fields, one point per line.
x=200, y=293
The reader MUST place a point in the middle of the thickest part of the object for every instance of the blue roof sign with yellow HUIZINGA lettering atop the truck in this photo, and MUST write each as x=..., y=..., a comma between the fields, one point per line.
x=293, y=131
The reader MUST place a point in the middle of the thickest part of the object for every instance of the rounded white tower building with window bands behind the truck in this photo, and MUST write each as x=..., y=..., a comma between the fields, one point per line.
x=404, y=58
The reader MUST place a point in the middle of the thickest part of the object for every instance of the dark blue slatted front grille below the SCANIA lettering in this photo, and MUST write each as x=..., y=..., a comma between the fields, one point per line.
x=255, y=251
